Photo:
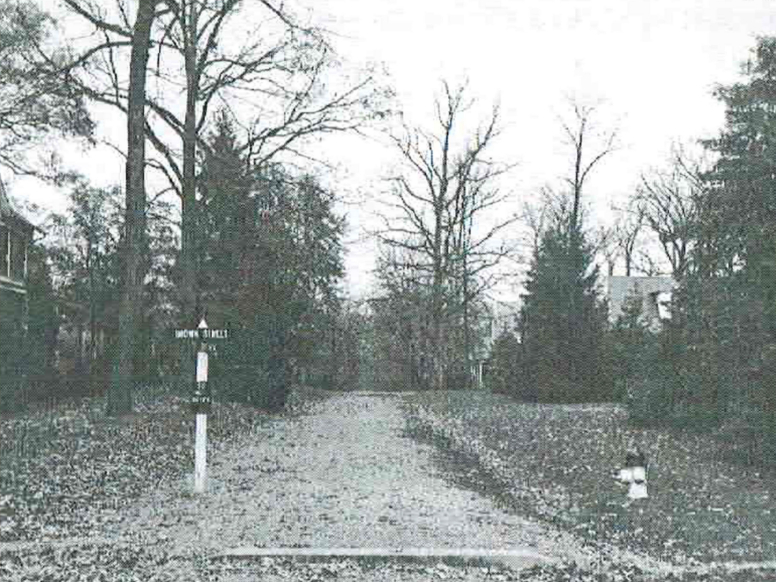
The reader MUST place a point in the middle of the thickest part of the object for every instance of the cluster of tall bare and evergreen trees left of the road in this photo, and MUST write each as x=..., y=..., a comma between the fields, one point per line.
x=256, y=245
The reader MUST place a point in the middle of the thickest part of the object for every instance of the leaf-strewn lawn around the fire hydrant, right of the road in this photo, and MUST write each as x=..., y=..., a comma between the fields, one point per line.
x=557, y=464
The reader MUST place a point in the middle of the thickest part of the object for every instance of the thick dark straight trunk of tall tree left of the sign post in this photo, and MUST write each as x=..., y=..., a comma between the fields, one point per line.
x=134, y=239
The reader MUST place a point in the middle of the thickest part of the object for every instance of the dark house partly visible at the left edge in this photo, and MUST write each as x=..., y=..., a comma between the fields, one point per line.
x=15, y=238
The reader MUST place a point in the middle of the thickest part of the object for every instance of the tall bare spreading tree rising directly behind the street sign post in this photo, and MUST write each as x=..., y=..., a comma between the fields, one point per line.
x=283, y=80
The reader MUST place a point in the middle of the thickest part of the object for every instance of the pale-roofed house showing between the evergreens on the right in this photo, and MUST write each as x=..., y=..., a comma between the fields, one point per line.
x=653, y=292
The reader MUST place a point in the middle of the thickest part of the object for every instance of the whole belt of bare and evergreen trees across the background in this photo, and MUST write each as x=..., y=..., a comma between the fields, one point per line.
x=247, y=233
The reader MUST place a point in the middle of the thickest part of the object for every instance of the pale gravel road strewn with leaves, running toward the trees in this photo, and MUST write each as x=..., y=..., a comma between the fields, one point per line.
x=343, y=476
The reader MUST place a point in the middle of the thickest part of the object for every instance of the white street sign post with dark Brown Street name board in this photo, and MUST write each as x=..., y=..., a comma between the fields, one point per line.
x=201, y=397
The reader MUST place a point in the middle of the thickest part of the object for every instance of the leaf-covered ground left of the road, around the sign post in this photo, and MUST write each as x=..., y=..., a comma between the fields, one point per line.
x=68, y=471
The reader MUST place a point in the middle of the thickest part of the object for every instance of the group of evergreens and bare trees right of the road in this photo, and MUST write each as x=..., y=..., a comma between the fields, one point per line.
x=707, y=221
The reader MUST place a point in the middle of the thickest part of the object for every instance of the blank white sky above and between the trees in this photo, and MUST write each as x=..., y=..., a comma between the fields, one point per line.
x=651, y=64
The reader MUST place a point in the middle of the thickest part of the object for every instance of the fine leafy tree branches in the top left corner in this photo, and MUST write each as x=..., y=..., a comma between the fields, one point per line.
x=36, y=100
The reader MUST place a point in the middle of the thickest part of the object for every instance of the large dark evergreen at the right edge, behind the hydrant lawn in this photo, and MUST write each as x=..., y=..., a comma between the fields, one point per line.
x=723, y=321
